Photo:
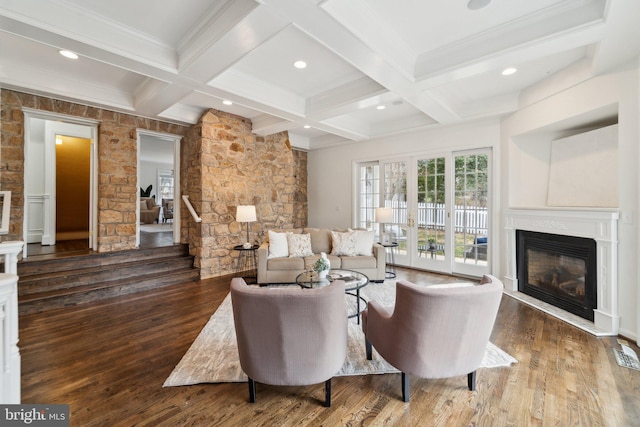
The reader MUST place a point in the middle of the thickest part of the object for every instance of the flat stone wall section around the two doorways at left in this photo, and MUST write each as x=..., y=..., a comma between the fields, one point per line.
x=117, y=164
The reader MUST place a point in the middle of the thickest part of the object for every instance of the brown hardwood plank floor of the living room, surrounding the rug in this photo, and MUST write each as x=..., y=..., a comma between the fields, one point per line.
x=108, y=360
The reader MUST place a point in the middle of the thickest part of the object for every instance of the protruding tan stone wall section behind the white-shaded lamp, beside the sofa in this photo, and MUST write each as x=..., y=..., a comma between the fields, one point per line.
x=224, y=165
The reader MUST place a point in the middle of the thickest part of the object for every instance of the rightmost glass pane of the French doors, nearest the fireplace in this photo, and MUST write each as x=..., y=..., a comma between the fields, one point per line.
x=471, y=212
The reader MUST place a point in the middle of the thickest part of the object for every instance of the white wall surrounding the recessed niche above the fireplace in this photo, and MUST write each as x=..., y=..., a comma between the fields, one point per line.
x=526, y=138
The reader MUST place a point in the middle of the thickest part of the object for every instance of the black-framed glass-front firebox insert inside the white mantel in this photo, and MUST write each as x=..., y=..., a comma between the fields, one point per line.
x=559, y=270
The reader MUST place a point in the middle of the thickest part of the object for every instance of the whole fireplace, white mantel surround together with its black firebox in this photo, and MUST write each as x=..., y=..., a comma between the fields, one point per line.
x=597, y=225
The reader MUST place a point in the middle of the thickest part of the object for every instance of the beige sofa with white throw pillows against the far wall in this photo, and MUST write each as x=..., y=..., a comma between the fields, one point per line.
x=277, y=264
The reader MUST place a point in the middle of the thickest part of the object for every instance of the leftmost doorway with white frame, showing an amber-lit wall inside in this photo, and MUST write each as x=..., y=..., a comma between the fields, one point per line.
x=60, y=200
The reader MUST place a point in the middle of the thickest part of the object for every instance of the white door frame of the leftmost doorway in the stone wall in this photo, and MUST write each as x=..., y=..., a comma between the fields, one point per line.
x=58, y=121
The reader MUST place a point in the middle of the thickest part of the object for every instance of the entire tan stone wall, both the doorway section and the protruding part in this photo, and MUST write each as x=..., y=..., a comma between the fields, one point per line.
x=223, y=165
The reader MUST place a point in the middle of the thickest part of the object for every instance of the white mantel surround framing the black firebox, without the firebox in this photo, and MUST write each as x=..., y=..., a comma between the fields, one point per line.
x=600, y=225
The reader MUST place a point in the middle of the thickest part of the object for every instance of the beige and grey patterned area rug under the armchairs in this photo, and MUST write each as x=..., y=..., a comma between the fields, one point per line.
x=213, y=356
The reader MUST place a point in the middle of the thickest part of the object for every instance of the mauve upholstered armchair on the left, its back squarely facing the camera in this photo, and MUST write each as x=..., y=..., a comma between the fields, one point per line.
x=290, y=336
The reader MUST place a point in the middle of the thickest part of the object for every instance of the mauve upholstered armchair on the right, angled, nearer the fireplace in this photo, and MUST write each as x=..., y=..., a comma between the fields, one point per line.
x=436, y=331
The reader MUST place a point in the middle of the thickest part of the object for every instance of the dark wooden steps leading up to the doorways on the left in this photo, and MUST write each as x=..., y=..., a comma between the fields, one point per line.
x=67, y=281
